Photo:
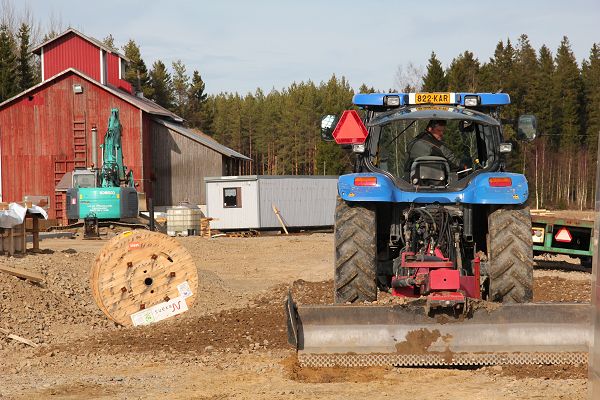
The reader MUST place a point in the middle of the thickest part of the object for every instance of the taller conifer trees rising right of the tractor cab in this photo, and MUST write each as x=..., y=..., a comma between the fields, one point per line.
x=565, y=96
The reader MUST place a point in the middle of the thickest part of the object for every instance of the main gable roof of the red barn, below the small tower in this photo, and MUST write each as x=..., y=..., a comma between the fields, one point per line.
x=142, y=103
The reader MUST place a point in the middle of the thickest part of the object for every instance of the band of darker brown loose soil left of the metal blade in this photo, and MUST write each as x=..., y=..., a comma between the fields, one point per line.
x=257, y=326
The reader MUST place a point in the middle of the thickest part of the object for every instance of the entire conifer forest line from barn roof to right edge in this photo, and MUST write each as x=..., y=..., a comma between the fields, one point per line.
x=279, y=130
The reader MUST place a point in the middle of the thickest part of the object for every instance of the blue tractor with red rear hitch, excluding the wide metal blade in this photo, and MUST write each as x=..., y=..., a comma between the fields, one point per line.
x=448, y=223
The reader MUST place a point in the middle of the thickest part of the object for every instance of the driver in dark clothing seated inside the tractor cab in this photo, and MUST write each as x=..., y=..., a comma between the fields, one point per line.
x=430, y=143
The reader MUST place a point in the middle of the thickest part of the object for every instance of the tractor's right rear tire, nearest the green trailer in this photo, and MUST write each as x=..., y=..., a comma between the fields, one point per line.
x=510, y=253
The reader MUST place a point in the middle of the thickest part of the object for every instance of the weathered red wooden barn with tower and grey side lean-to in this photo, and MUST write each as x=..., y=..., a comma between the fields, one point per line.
x=49, y=129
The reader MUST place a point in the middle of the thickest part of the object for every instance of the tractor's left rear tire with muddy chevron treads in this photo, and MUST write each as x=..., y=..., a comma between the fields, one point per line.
x=355, y=278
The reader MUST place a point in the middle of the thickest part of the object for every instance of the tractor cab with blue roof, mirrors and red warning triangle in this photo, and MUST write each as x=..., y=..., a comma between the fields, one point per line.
x=396, y=137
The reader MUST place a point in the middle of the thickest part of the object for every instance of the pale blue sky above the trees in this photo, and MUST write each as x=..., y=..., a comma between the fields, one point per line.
x=239, y=46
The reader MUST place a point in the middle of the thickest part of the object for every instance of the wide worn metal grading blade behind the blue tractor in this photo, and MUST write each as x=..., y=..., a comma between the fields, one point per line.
x=400, y=335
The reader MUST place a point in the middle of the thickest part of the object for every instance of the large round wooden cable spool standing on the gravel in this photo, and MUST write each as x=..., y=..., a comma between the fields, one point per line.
x=137, y=270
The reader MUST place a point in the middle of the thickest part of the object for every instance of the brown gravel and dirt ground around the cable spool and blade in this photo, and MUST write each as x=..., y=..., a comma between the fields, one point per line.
x=232, y=342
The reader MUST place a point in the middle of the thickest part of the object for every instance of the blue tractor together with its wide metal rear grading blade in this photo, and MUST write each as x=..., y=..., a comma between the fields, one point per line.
x=440, y=222
